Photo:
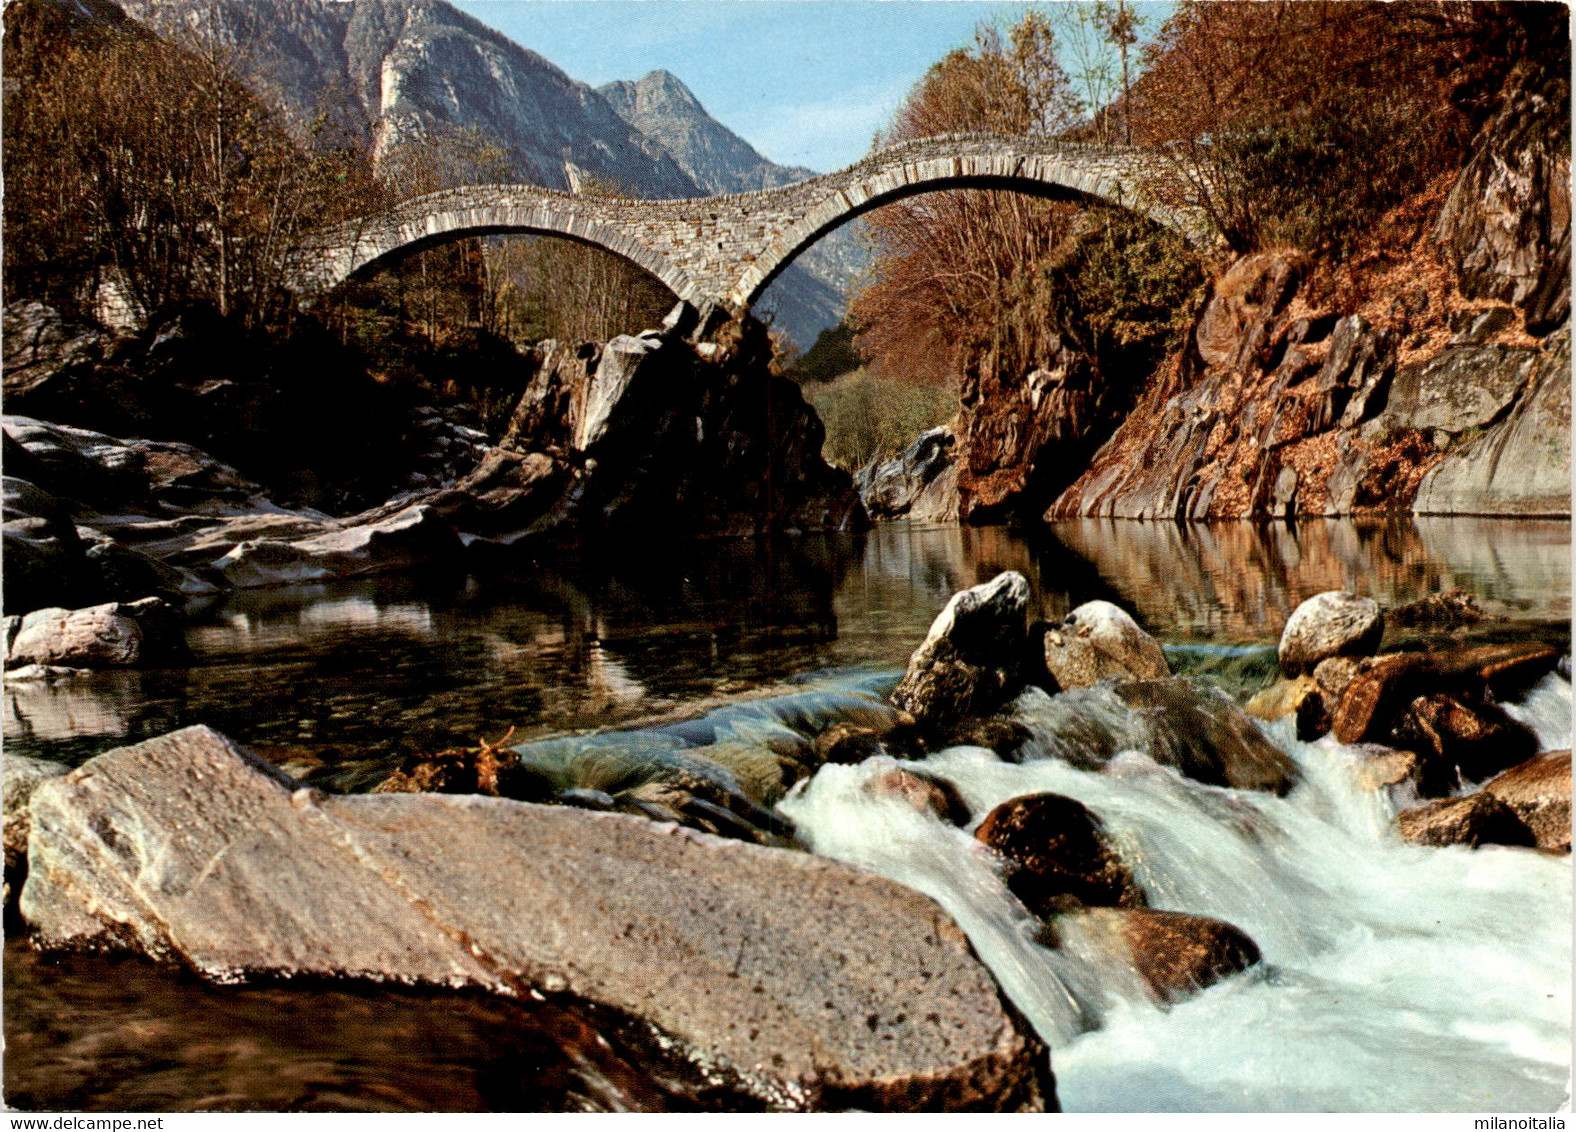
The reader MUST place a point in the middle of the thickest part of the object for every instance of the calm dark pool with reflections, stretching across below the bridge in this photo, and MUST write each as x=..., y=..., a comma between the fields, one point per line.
x=340, y=683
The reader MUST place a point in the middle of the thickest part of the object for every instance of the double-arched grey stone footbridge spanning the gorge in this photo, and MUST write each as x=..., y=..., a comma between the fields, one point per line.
x=730, y=248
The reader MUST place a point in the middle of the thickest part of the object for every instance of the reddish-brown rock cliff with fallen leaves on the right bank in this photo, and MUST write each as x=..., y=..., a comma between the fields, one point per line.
x=1430, y=371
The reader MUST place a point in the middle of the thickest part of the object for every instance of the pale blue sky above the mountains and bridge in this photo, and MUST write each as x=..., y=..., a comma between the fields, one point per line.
x=808, y=83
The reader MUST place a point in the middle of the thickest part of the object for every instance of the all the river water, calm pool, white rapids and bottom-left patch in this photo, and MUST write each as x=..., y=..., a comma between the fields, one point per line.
x=1394, y=978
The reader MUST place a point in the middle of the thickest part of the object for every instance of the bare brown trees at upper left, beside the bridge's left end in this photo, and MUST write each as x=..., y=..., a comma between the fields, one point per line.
x=158, y=171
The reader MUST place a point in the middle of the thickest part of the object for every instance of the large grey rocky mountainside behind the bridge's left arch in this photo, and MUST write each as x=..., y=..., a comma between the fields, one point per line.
x=400, y=69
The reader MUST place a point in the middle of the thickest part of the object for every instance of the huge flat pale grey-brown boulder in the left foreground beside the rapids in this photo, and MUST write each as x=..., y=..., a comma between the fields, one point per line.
x=794, y=978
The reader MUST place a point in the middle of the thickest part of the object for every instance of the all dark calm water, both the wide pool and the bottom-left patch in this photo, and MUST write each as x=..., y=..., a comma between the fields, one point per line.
x=340, y=683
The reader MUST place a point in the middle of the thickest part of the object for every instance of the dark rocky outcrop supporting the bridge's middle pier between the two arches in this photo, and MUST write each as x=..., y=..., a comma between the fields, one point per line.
x=655, y=433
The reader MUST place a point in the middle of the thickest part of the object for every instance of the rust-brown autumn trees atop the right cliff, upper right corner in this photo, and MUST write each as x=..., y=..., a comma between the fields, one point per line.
x=1303, y=122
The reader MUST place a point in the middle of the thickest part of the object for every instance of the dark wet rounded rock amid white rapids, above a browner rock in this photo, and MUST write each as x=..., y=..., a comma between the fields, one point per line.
x=1061, y=855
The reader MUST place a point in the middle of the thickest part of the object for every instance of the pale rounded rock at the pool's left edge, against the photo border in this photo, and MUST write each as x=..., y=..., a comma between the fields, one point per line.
x=111, y=636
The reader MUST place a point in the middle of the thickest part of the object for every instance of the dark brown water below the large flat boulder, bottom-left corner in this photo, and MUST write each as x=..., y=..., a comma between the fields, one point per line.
x=124, y=1035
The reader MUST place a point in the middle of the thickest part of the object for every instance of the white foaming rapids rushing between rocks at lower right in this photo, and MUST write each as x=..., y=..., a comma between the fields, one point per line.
x=1396, y=978
